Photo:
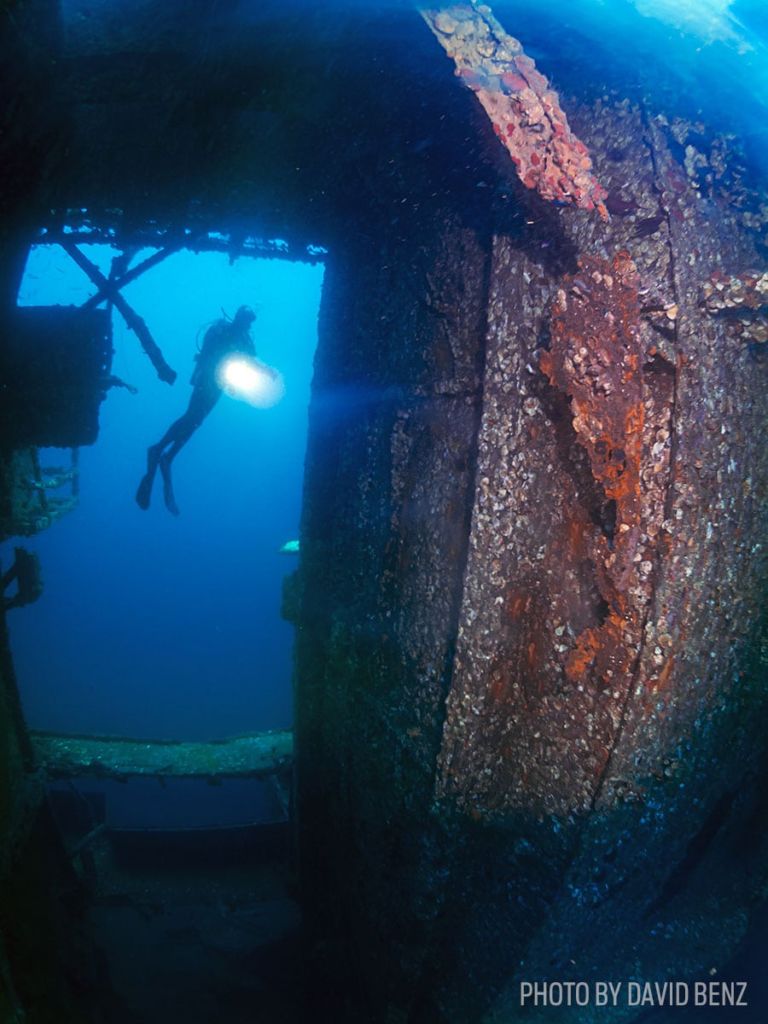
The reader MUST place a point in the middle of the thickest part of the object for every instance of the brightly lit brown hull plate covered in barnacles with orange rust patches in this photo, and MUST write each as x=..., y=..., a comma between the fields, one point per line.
x=563, y=568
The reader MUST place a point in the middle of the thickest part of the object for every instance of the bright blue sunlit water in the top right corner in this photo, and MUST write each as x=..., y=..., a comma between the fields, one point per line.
x=693, y=59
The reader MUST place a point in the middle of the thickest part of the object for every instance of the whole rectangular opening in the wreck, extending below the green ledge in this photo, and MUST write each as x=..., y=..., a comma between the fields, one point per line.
x=152, y=626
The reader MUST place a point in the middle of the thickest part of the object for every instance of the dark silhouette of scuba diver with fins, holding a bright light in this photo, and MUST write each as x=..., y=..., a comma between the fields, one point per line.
x=224, y=338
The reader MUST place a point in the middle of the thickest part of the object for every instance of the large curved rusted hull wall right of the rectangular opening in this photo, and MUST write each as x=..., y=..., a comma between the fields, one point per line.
x=530, y=680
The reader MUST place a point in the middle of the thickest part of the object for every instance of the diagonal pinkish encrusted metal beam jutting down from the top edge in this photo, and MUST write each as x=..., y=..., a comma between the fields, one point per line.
x=526, y=113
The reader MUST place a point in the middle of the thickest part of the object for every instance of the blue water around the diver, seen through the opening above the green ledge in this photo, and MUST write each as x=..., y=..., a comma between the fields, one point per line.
x=161, y=627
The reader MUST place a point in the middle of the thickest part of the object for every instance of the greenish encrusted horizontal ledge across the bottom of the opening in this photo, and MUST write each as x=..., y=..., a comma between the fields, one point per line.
x=253, y=756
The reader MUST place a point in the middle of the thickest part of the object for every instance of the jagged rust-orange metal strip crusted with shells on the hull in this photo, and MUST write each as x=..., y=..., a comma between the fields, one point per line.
x=595, y=359
